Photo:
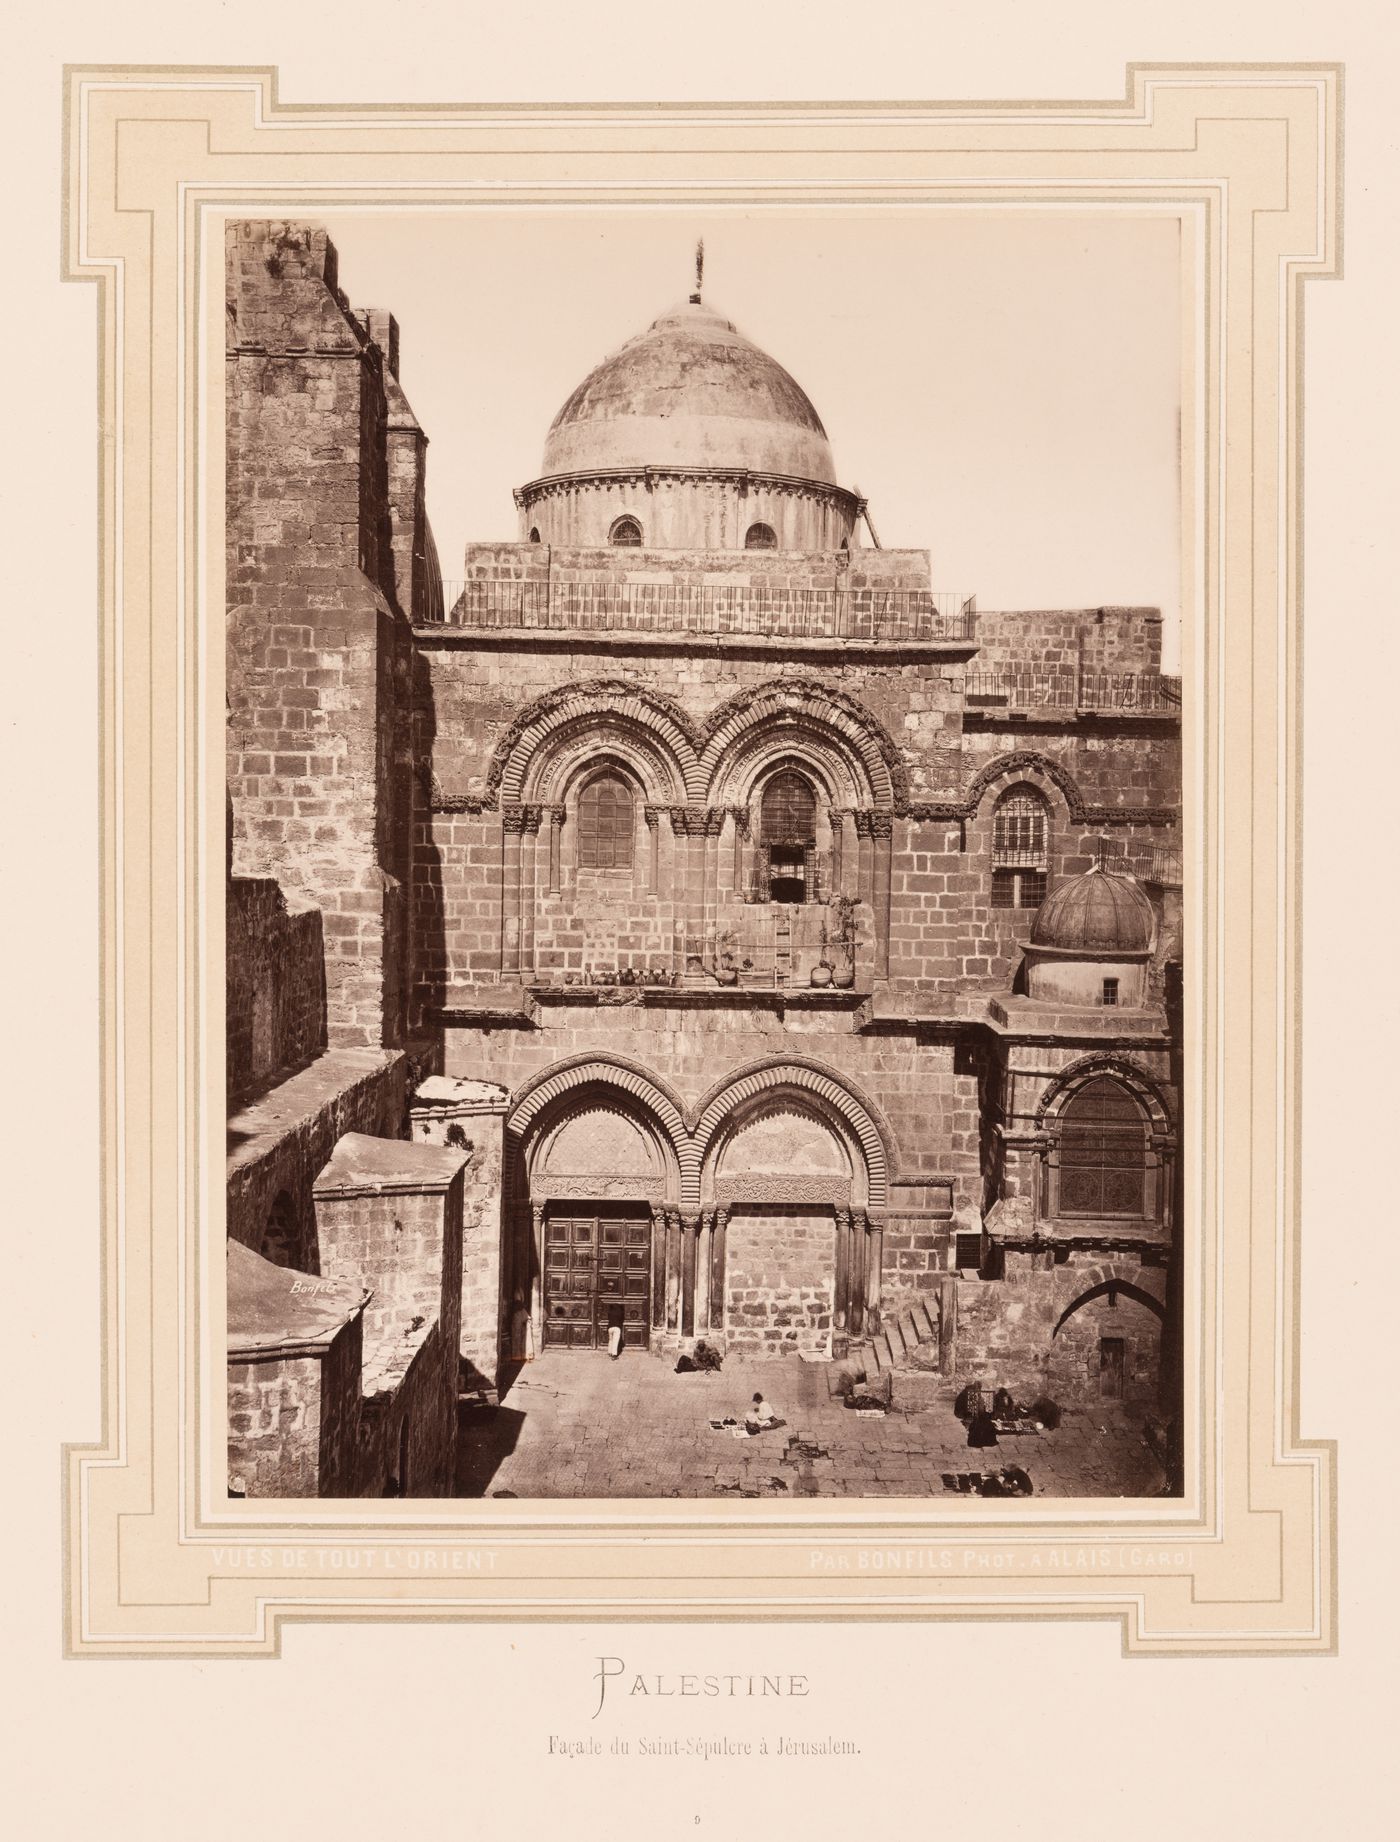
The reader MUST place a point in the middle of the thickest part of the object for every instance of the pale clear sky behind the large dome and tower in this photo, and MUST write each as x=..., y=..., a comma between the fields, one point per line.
x=1003, y=386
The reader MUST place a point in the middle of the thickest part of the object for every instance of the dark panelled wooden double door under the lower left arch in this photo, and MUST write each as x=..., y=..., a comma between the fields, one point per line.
x=594, y=1259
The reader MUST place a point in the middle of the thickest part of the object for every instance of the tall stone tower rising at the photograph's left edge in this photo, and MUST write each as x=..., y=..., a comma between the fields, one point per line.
x=314, y=635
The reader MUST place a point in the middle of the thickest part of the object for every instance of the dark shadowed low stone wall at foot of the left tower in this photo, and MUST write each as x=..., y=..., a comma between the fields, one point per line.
x=275, y=986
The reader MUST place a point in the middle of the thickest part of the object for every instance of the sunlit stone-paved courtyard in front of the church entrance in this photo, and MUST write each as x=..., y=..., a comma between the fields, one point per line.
x=576, y=1425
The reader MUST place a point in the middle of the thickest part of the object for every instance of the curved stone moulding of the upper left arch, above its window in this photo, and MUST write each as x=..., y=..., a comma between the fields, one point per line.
x=653, y=725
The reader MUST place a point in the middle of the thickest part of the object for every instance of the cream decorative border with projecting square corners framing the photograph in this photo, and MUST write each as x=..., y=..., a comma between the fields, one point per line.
x=159, y=1561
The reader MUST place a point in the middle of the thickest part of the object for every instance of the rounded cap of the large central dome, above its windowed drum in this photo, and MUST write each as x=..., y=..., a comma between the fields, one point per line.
x=694, y=393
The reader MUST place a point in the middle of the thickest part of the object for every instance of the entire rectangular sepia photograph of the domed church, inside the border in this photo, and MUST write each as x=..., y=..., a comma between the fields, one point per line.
x=705, y=867
